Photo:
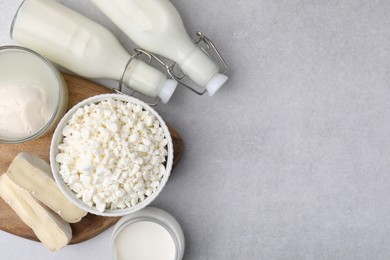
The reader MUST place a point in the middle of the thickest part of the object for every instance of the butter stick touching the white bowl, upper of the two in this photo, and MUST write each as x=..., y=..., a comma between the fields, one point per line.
x=34, y=175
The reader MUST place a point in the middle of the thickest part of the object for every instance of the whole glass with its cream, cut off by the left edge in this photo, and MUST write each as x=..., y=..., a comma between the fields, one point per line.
x=33, y=95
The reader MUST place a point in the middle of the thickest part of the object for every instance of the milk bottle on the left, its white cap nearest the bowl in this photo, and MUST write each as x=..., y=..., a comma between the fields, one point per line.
x=84, y=47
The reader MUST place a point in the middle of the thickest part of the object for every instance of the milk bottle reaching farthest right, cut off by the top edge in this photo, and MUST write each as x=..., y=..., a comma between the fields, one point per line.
x=157, y=27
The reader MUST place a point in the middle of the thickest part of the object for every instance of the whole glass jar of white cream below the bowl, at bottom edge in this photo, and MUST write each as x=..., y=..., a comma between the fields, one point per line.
x=148, y=234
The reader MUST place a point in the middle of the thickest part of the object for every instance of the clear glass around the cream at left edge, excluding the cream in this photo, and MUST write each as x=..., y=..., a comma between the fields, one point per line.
x=19, y=64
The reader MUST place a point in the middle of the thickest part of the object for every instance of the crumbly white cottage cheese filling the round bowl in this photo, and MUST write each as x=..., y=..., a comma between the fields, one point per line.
x=112, y=154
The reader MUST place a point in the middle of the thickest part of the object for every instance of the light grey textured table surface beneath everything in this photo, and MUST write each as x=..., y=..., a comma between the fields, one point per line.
x=290, y=160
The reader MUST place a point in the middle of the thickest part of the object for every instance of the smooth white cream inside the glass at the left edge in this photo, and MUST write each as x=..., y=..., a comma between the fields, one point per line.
x=24, y=109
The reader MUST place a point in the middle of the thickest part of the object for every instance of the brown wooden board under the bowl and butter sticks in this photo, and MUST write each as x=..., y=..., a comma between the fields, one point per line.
x=91, y=225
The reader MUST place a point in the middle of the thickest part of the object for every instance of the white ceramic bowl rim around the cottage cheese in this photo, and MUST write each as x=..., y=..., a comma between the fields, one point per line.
x=57, y=139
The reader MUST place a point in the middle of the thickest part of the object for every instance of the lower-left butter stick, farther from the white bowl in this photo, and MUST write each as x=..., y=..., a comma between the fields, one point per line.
x=50, y=229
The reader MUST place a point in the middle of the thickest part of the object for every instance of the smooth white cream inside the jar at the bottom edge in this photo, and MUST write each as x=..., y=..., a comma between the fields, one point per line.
x=145, y=240
